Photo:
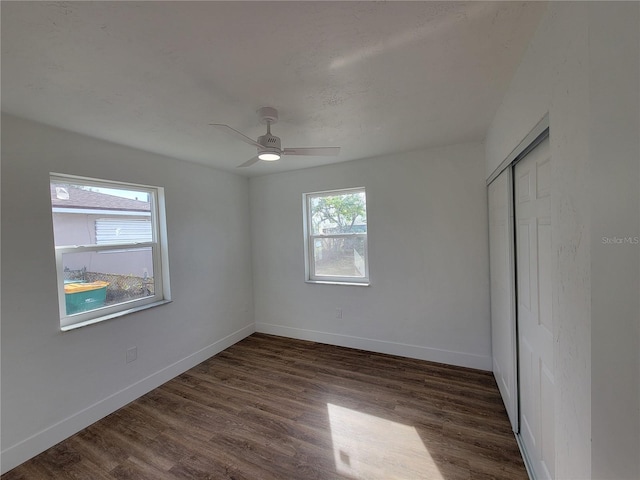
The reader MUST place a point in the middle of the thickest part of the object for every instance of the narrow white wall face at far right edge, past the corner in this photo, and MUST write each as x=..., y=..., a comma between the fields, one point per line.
x=614, y=143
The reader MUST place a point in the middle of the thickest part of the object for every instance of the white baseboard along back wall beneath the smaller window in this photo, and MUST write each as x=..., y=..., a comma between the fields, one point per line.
x=480, y=362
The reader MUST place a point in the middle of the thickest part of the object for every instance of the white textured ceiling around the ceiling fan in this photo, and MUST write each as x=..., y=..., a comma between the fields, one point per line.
x=374, y=78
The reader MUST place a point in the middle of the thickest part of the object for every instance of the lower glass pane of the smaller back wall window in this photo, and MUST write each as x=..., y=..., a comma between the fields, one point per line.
x=341, y=257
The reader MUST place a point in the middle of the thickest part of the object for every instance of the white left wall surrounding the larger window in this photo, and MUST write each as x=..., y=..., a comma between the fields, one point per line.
x=55, y=383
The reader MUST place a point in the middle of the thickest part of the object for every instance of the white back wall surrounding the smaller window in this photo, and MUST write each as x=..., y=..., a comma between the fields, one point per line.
x=428, y=257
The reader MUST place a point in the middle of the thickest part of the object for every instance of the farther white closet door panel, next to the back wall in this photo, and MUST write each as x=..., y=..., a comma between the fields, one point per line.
x=503, y=322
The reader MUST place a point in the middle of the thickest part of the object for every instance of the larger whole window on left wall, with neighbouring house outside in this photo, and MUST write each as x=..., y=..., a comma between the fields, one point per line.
x=111, y=255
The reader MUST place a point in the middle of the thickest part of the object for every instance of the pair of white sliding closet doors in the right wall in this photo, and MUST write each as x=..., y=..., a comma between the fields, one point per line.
x=521, y=306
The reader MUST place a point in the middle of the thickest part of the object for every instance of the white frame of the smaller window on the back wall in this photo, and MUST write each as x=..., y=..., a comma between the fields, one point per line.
x=310, y=237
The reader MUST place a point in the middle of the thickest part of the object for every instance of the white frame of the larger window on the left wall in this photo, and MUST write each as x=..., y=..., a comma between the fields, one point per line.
x=159, y=252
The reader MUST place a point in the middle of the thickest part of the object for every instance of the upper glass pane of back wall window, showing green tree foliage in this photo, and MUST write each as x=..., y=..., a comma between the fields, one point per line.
x=335, y=214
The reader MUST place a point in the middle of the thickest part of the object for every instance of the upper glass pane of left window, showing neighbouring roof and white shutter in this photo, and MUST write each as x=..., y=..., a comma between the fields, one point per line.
x=91, y=215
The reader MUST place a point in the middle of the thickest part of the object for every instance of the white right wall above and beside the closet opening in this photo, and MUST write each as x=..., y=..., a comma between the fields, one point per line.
x=582, y=68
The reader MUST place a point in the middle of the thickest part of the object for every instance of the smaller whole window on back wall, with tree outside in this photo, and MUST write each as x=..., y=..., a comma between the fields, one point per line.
x=336, y=237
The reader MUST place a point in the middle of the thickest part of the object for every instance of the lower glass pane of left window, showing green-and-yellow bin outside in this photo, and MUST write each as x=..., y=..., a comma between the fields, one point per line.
x=97, y=279
